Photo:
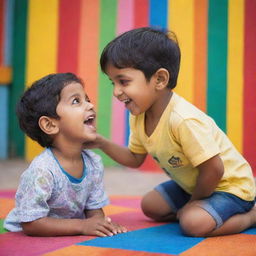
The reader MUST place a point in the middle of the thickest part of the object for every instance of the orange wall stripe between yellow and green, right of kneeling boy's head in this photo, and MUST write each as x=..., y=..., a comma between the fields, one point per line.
x=200, y=33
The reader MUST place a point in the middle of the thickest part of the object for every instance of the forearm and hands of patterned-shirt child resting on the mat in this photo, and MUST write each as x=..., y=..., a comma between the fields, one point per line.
x=96, y=224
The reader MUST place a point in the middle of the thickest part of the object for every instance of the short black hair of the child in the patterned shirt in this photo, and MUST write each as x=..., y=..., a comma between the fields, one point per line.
x=41, y=99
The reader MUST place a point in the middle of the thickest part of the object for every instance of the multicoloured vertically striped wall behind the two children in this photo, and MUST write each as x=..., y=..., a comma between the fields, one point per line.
x=218, y=67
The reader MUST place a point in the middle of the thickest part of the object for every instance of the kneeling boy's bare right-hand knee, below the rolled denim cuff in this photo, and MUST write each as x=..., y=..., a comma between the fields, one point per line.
x=196, y=225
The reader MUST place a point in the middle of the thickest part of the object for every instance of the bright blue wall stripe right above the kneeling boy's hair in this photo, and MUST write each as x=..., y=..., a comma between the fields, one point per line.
x=158, y=11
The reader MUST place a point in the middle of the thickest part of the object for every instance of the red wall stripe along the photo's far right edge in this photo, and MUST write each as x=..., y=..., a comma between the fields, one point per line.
x=249, y=148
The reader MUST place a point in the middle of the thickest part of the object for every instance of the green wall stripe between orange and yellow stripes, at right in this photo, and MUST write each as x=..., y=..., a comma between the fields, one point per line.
x=217, y=61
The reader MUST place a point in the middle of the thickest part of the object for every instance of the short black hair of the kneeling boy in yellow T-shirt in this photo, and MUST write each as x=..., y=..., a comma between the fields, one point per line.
x=146, y=49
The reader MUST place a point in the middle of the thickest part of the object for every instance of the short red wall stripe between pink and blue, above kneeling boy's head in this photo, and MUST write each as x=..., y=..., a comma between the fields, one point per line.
x=141, y=13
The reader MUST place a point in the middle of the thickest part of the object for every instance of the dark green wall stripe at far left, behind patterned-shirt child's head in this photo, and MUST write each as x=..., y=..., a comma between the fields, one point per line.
x=19, y=52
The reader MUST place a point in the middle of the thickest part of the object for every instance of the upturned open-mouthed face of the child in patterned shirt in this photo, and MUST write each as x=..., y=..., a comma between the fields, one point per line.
x=77, y=116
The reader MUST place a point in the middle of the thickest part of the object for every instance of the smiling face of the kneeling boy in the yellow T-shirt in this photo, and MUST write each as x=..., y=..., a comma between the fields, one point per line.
x=132, y=88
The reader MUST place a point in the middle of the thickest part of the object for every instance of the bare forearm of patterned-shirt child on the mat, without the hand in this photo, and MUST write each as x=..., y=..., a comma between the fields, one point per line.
x=48, y=226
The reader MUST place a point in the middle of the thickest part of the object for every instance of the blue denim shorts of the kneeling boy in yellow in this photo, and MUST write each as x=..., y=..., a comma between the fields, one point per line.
x=220, y=205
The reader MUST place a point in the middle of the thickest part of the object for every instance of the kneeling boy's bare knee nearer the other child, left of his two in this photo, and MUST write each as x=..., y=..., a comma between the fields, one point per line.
x=155, y=207
